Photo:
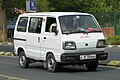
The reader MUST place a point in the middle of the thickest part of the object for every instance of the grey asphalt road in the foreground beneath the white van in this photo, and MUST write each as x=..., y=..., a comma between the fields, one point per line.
x=10, y=70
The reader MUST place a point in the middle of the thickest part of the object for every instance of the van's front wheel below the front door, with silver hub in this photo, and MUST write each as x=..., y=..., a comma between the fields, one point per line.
x=52, y=65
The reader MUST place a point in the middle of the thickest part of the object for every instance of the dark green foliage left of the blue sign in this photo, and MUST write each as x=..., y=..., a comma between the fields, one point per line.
x=9, y=6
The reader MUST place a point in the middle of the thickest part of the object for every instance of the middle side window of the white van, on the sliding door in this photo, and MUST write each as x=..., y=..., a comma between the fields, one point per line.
x=35, y=25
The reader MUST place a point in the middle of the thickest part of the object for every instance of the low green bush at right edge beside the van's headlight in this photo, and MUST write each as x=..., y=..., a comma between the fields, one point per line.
x=113, y=40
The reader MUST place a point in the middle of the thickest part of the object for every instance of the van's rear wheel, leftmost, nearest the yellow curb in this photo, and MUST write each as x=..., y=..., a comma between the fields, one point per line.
x=23, y=60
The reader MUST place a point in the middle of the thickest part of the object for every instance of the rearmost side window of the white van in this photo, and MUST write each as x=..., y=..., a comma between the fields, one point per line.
x=22, y=24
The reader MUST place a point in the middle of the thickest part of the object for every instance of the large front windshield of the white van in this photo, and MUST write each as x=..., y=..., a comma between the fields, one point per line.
x=78, y=24
